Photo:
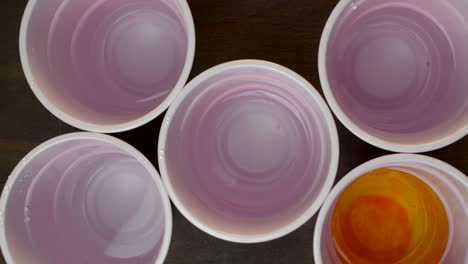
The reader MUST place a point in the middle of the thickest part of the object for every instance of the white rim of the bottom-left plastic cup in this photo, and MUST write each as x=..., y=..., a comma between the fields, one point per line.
x=4, y=199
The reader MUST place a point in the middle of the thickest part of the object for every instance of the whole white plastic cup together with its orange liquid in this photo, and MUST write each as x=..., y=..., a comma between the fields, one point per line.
x=397, y=209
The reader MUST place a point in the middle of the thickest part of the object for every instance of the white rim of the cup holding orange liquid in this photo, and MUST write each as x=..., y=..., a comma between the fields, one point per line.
x=362, y=169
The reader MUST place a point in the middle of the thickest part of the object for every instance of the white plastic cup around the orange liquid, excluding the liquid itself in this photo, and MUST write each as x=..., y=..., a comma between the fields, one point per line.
x=450, y=184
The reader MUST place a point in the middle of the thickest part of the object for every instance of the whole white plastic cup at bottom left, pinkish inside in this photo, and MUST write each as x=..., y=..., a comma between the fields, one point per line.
x=84, y=198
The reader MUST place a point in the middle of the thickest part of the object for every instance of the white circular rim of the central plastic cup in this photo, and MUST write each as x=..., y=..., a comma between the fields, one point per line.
x=329, y=180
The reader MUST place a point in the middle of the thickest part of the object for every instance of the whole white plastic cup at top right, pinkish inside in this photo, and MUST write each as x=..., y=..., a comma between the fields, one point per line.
x=394, y=72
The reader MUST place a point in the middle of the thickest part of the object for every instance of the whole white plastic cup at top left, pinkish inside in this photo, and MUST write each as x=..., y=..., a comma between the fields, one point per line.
x=107, y=65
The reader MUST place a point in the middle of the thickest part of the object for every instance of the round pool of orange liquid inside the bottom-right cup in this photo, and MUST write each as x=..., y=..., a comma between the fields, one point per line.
x=389, y=216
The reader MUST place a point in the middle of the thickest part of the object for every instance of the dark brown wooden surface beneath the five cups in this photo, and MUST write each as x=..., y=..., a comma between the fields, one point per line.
x=283, y=31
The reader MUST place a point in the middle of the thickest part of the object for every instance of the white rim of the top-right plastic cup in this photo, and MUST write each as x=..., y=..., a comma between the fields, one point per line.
x=346, y=120
